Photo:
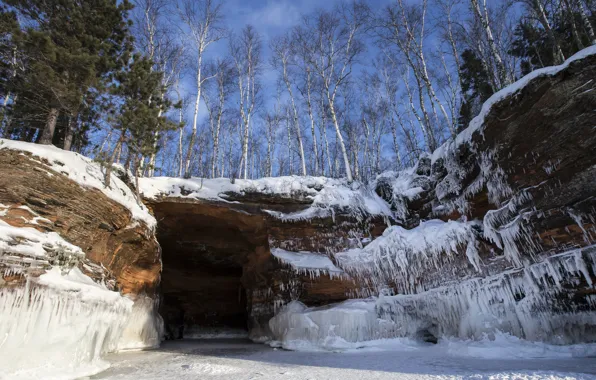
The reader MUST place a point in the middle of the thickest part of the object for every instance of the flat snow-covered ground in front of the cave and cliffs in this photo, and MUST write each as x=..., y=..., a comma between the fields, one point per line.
x=242, y=360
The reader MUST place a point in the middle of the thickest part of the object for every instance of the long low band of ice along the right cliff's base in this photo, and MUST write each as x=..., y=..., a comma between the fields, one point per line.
x=528, y=303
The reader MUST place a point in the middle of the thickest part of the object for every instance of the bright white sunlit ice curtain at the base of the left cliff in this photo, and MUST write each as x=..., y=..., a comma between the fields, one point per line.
x=59, y=325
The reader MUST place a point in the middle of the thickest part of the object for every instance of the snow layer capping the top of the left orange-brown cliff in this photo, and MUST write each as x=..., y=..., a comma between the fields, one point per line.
x=85, y=172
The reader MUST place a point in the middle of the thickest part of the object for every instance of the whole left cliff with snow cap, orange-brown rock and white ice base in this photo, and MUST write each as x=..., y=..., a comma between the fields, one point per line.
x=69, y=249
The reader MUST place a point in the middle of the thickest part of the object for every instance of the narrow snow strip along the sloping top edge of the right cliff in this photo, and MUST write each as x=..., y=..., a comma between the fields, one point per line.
x=478, y=122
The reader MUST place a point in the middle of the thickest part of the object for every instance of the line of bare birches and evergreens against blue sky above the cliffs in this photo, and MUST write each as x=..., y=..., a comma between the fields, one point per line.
x=169, y=88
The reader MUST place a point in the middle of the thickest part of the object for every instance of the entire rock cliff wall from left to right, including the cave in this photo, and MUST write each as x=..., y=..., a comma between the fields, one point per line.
x=493, y=233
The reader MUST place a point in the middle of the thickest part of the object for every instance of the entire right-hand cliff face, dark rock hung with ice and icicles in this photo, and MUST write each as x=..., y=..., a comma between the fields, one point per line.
x=497, y=230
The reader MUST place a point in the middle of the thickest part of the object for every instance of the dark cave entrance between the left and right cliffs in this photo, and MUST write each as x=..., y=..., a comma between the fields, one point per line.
x=204, y=251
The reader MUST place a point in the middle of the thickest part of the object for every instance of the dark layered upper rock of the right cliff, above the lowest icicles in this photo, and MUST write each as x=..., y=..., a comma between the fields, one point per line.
x=525, y=171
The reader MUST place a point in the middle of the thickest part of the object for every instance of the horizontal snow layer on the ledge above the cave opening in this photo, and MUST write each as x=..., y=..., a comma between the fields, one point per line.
x=324, y=193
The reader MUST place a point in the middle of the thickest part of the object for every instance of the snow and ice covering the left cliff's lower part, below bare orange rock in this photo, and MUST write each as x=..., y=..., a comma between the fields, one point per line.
x=59, y=323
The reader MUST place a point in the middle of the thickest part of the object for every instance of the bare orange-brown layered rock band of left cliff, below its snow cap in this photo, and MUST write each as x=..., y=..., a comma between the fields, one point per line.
x=38, y=196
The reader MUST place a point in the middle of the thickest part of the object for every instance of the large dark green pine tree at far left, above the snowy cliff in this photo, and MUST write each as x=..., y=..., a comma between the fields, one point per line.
x=66, y=56
